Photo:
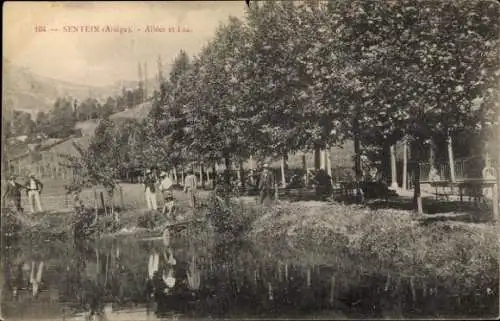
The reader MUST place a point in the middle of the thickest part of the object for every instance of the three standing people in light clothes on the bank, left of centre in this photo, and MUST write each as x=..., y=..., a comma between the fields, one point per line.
x=165, y=186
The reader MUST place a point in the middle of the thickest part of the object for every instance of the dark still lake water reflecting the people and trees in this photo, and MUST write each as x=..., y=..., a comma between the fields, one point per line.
x=194, y=274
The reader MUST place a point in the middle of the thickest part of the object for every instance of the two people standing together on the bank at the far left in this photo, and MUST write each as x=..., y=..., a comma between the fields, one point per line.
x=33, y=188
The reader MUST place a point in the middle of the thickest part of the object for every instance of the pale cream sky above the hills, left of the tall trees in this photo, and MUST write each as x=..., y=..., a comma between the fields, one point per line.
x=101, y=58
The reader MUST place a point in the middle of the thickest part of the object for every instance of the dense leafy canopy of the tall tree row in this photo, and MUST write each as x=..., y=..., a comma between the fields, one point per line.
x=295, y=77
